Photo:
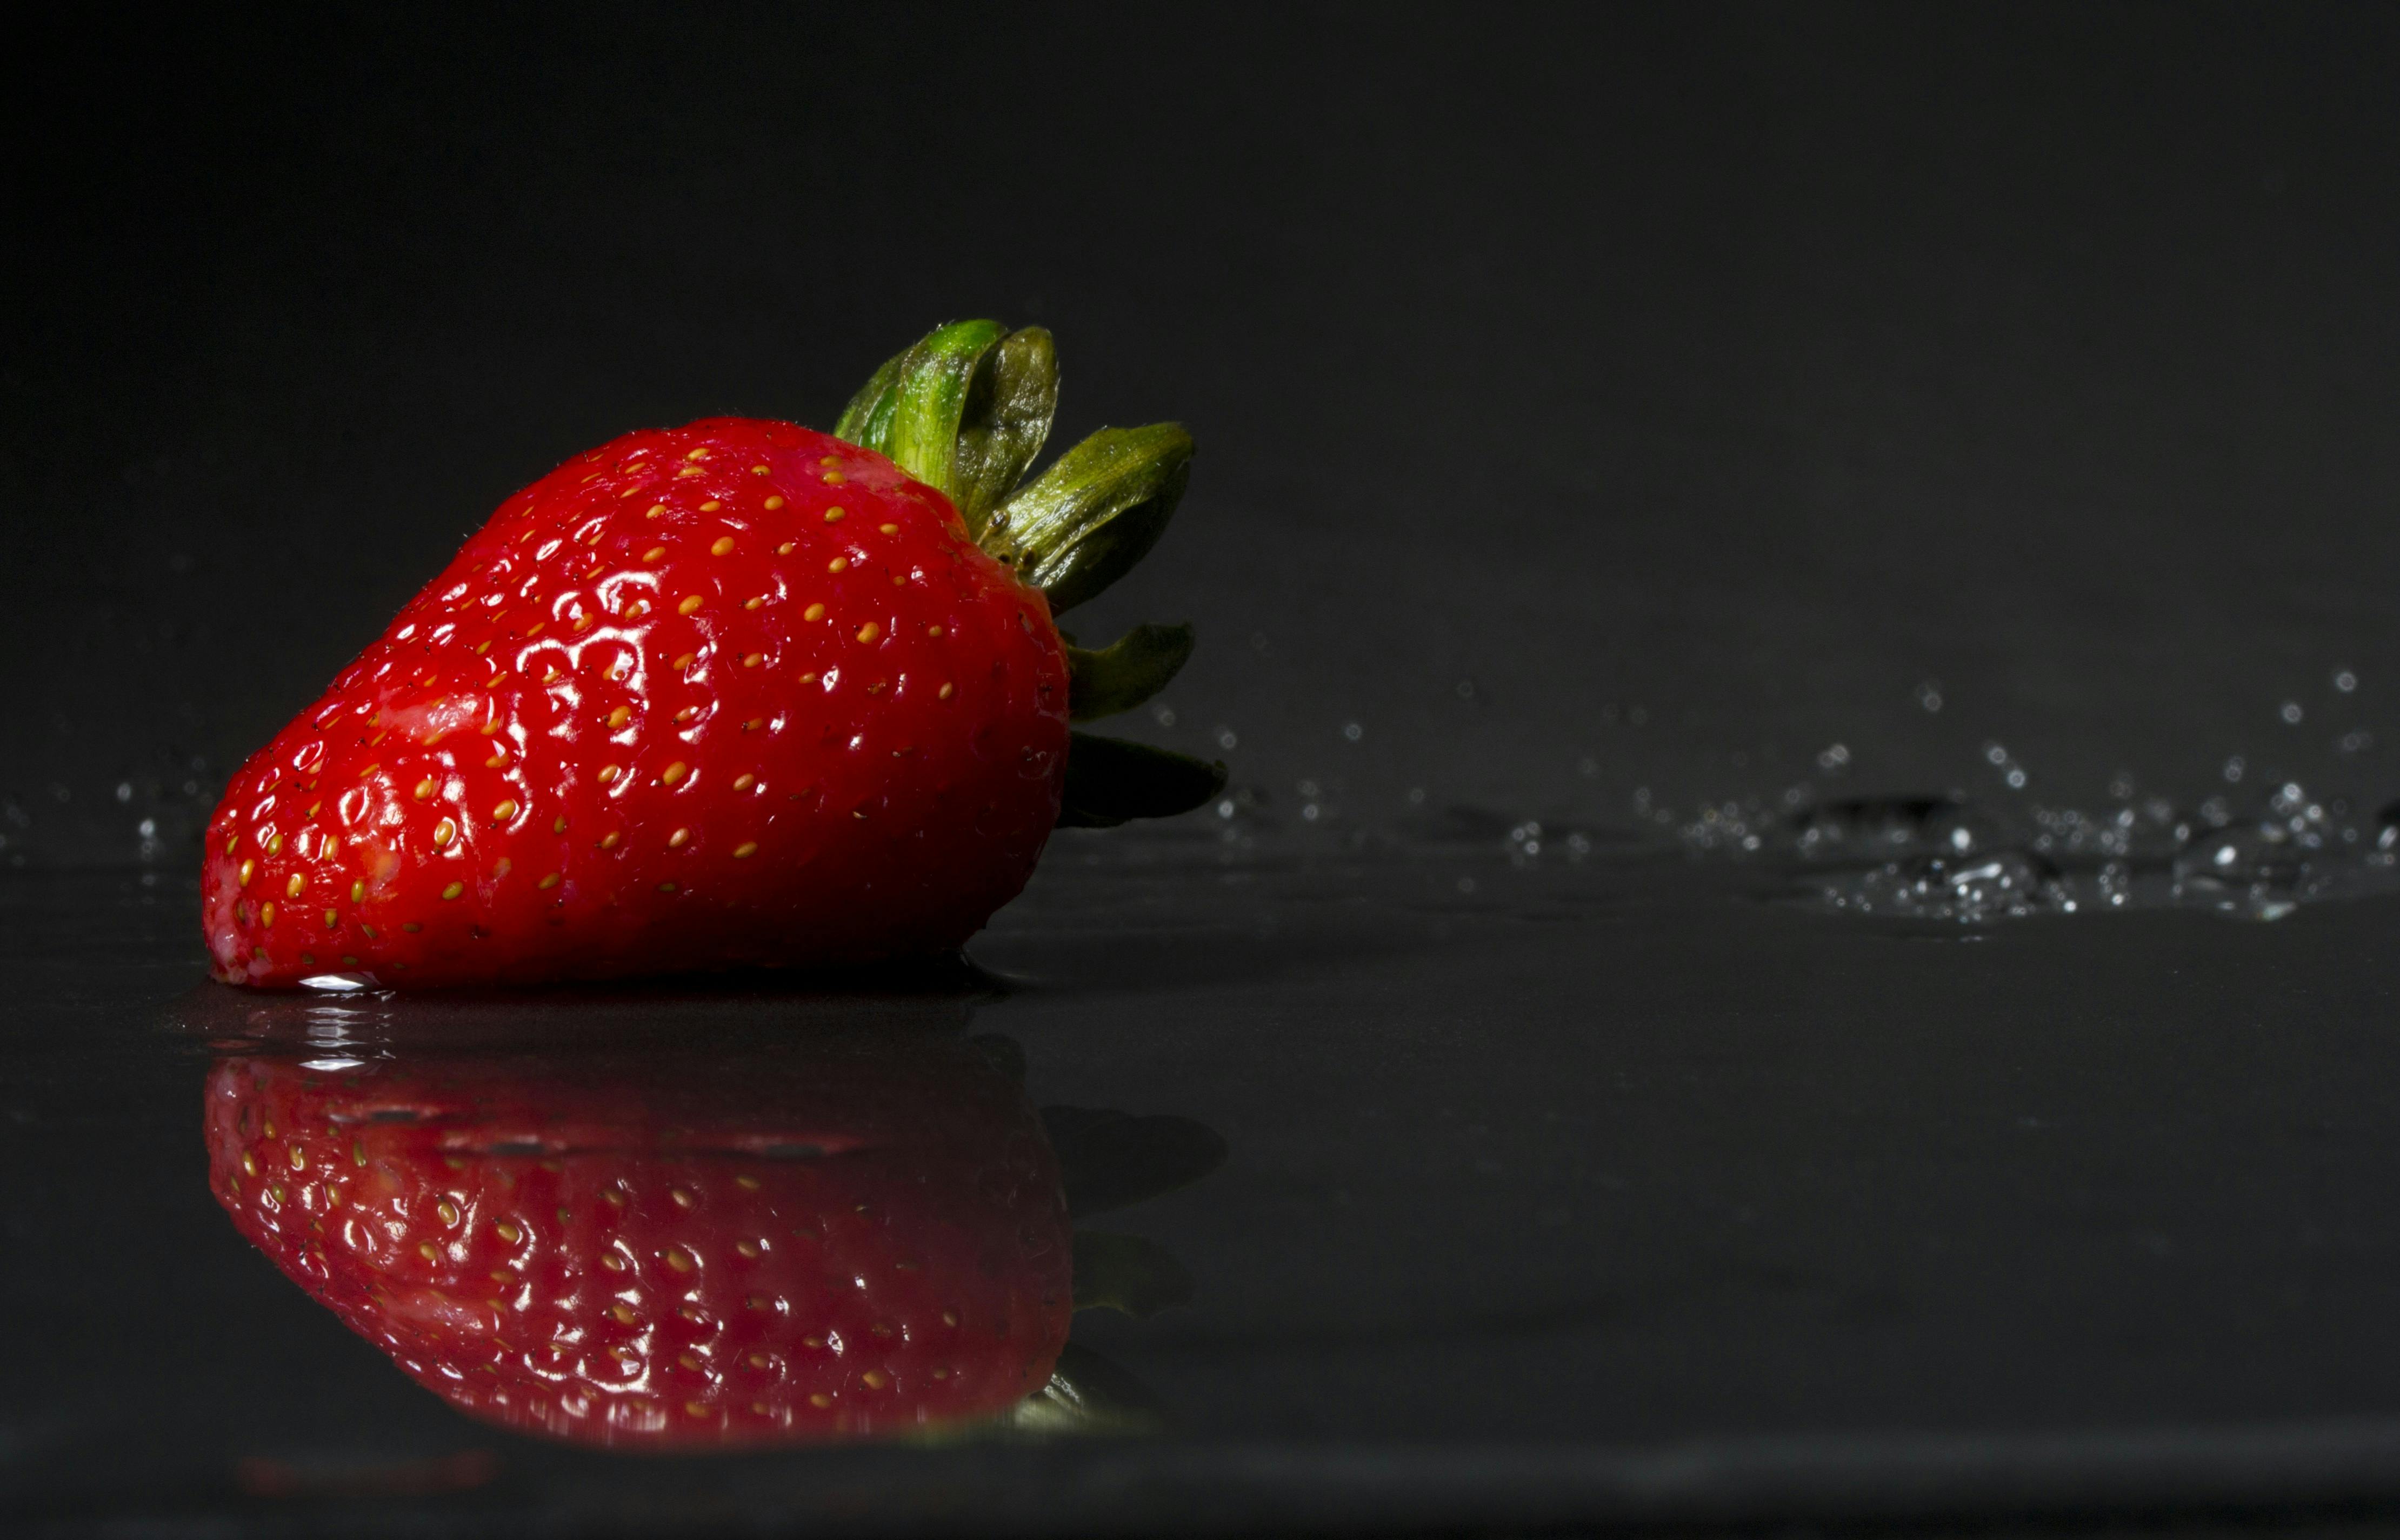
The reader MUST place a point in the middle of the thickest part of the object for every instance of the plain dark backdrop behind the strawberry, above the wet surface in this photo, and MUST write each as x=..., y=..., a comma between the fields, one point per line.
x=1588, y=397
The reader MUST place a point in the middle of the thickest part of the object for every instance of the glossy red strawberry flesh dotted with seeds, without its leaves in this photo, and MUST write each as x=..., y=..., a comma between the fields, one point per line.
x=709, y=697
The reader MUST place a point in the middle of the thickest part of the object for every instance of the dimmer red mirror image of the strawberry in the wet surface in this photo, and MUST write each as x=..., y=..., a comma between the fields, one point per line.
x=668, y=1253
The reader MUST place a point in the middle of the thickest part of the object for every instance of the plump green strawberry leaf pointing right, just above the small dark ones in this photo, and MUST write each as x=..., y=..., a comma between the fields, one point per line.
x=1096, y=512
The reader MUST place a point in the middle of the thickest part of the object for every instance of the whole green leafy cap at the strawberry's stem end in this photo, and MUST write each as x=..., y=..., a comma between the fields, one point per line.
x=966, y=411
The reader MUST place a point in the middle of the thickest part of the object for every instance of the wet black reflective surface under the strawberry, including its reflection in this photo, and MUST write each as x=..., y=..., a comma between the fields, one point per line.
x=1398, y=1177
